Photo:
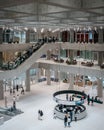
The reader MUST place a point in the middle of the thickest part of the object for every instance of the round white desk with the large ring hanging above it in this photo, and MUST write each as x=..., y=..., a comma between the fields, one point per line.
x=71, y=107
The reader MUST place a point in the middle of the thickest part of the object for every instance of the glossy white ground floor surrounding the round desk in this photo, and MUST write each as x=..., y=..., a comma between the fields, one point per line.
x=40, y=97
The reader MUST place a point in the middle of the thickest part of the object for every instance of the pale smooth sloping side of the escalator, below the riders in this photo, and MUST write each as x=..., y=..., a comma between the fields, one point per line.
x=26, y=64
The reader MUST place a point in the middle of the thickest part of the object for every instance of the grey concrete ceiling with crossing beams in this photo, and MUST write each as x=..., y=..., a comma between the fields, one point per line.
x=52, y=13
